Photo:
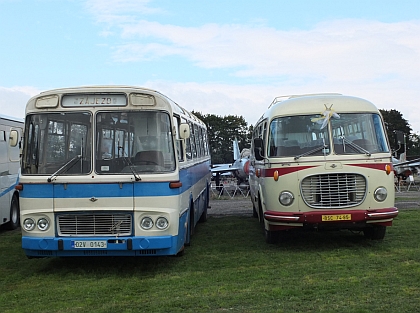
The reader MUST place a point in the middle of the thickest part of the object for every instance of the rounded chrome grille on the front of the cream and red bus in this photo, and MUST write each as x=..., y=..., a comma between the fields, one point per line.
x=333, y=190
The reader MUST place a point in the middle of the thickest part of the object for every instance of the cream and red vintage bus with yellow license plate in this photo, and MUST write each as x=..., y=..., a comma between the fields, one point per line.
x=322, y=161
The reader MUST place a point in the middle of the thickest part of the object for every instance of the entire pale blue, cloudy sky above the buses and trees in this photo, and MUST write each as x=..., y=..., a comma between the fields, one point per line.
x=223, y=57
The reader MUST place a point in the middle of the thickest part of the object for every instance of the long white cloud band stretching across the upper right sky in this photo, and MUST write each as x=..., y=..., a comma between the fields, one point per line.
x=342, y=49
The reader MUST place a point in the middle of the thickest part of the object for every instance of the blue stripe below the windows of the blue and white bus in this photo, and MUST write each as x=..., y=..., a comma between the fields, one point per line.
x=188, y=177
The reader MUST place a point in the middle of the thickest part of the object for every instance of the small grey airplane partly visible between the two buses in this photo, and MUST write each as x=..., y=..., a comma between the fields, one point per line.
x=239, y=168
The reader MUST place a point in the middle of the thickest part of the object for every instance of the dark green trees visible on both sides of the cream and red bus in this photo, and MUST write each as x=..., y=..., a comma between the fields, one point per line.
x=222, y=130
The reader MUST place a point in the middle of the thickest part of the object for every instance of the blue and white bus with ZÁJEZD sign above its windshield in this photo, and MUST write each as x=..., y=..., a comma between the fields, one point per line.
x=111, y=171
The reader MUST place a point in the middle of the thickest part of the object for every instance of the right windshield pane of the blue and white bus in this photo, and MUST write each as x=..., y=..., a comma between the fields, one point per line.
x=134, y=141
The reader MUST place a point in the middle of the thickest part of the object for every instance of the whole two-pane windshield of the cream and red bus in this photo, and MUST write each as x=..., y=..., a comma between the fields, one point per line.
x=303, y=135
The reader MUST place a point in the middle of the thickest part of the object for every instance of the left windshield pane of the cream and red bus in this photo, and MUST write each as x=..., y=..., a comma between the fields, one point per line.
x=294, y=136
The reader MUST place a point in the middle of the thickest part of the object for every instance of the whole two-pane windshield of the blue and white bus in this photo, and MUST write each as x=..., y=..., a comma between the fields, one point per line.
x=126, y=142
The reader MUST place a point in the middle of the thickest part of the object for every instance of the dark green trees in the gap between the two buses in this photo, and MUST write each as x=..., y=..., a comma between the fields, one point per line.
x=222, y=131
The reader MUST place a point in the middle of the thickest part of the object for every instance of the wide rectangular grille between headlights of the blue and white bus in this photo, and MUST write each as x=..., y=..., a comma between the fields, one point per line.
x=94, y=224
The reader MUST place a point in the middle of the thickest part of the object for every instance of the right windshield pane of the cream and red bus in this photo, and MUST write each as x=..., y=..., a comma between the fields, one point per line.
x=356, y=133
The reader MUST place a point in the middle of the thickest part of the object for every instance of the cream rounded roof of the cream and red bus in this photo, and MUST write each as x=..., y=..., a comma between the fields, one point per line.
x=317, y=104
